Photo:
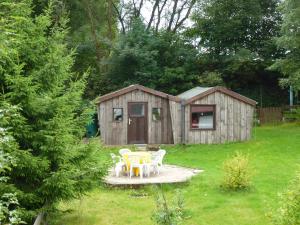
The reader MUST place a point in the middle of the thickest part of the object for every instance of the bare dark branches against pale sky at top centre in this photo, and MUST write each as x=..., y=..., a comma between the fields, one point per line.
x=170, y=15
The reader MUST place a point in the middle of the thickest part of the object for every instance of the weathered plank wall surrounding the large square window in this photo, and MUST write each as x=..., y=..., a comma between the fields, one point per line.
x=234, y=120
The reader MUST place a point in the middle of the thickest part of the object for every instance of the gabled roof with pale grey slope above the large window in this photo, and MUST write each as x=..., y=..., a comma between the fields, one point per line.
x=201, y=92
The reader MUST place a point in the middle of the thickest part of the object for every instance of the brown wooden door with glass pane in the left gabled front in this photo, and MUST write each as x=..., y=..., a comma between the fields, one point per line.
x=137, y=131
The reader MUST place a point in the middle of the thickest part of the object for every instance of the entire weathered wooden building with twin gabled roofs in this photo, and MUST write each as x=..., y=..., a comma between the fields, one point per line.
x=141, y=115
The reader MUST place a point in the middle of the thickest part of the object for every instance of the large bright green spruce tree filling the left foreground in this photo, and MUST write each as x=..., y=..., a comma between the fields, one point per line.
x=52, y=162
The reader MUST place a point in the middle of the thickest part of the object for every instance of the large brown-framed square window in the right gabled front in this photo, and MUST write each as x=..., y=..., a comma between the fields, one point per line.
x=203, y=117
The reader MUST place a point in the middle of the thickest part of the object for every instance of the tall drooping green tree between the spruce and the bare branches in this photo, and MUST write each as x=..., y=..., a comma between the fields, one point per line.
x=93, y=28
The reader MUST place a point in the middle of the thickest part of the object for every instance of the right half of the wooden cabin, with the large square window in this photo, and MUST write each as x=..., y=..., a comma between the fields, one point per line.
x=216, y=115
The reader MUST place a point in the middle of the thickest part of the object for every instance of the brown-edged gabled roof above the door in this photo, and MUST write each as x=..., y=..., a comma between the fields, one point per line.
x=132, y=88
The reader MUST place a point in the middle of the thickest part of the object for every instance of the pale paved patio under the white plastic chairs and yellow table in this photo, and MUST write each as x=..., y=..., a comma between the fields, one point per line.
x=168, y=174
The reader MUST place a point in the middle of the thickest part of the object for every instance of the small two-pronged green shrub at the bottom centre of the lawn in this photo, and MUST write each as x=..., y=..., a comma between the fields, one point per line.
x=166, y=214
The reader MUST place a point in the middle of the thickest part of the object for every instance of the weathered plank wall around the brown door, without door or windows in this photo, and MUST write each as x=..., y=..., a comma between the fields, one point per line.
x=115, y=133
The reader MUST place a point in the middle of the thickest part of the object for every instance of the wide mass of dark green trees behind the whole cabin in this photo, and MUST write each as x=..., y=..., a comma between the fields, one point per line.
x=231, y=44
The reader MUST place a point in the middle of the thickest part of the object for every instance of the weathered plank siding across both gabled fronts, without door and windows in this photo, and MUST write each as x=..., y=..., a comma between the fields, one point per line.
x=233, y=118
